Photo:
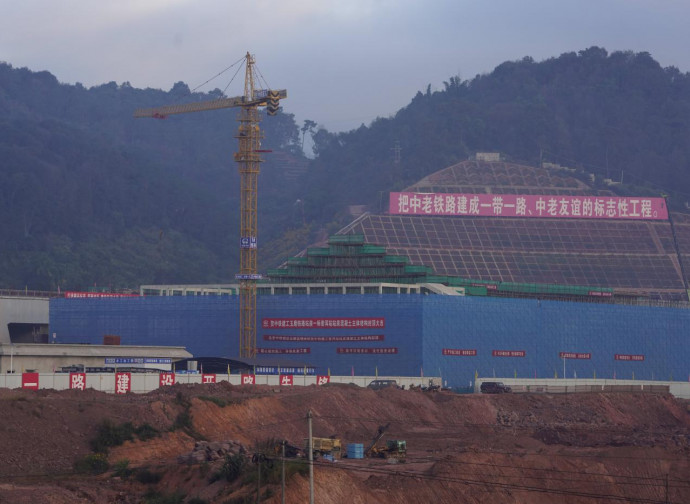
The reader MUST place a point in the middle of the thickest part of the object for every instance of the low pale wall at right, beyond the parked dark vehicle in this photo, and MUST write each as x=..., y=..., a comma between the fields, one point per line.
x=575, y=386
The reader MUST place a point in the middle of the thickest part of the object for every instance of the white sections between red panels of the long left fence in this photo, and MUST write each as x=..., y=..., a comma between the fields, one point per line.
x=146, y=382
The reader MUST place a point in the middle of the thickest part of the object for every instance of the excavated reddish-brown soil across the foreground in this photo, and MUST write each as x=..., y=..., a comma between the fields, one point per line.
x=512, y=448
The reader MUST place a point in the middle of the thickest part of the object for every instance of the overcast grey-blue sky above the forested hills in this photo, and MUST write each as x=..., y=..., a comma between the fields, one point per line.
x=343, y=62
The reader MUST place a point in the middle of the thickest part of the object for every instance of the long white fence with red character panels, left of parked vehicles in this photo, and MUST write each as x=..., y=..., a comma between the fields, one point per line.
x=141, y=383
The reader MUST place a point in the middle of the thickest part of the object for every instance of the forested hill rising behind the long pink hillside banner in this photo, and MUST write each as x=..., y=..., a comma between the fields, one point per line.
x=615, y=115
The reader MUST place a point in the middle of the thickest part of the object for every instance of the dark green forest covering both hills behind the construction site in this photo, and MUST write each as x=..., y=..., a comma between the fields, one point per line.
x=90, y=196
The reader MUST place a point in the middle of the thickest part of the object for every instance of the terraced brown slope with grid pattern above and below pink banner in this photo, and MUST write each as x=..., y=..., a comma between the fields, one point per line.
x=631, y=256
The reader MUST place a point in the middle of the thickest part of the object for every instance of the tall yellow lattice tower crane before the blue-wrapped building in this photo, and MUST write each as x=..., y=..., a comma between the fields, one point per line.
x=248, y=158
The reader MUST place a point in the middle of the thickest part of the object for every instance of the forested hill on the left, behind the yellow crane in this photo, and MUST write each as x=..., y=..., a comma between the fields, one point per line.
x=90, y=196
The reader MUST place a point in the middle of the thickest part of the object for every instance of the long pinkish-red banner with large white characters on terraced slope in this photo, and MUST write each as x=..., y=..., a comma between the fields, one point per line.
x=527, y=205
